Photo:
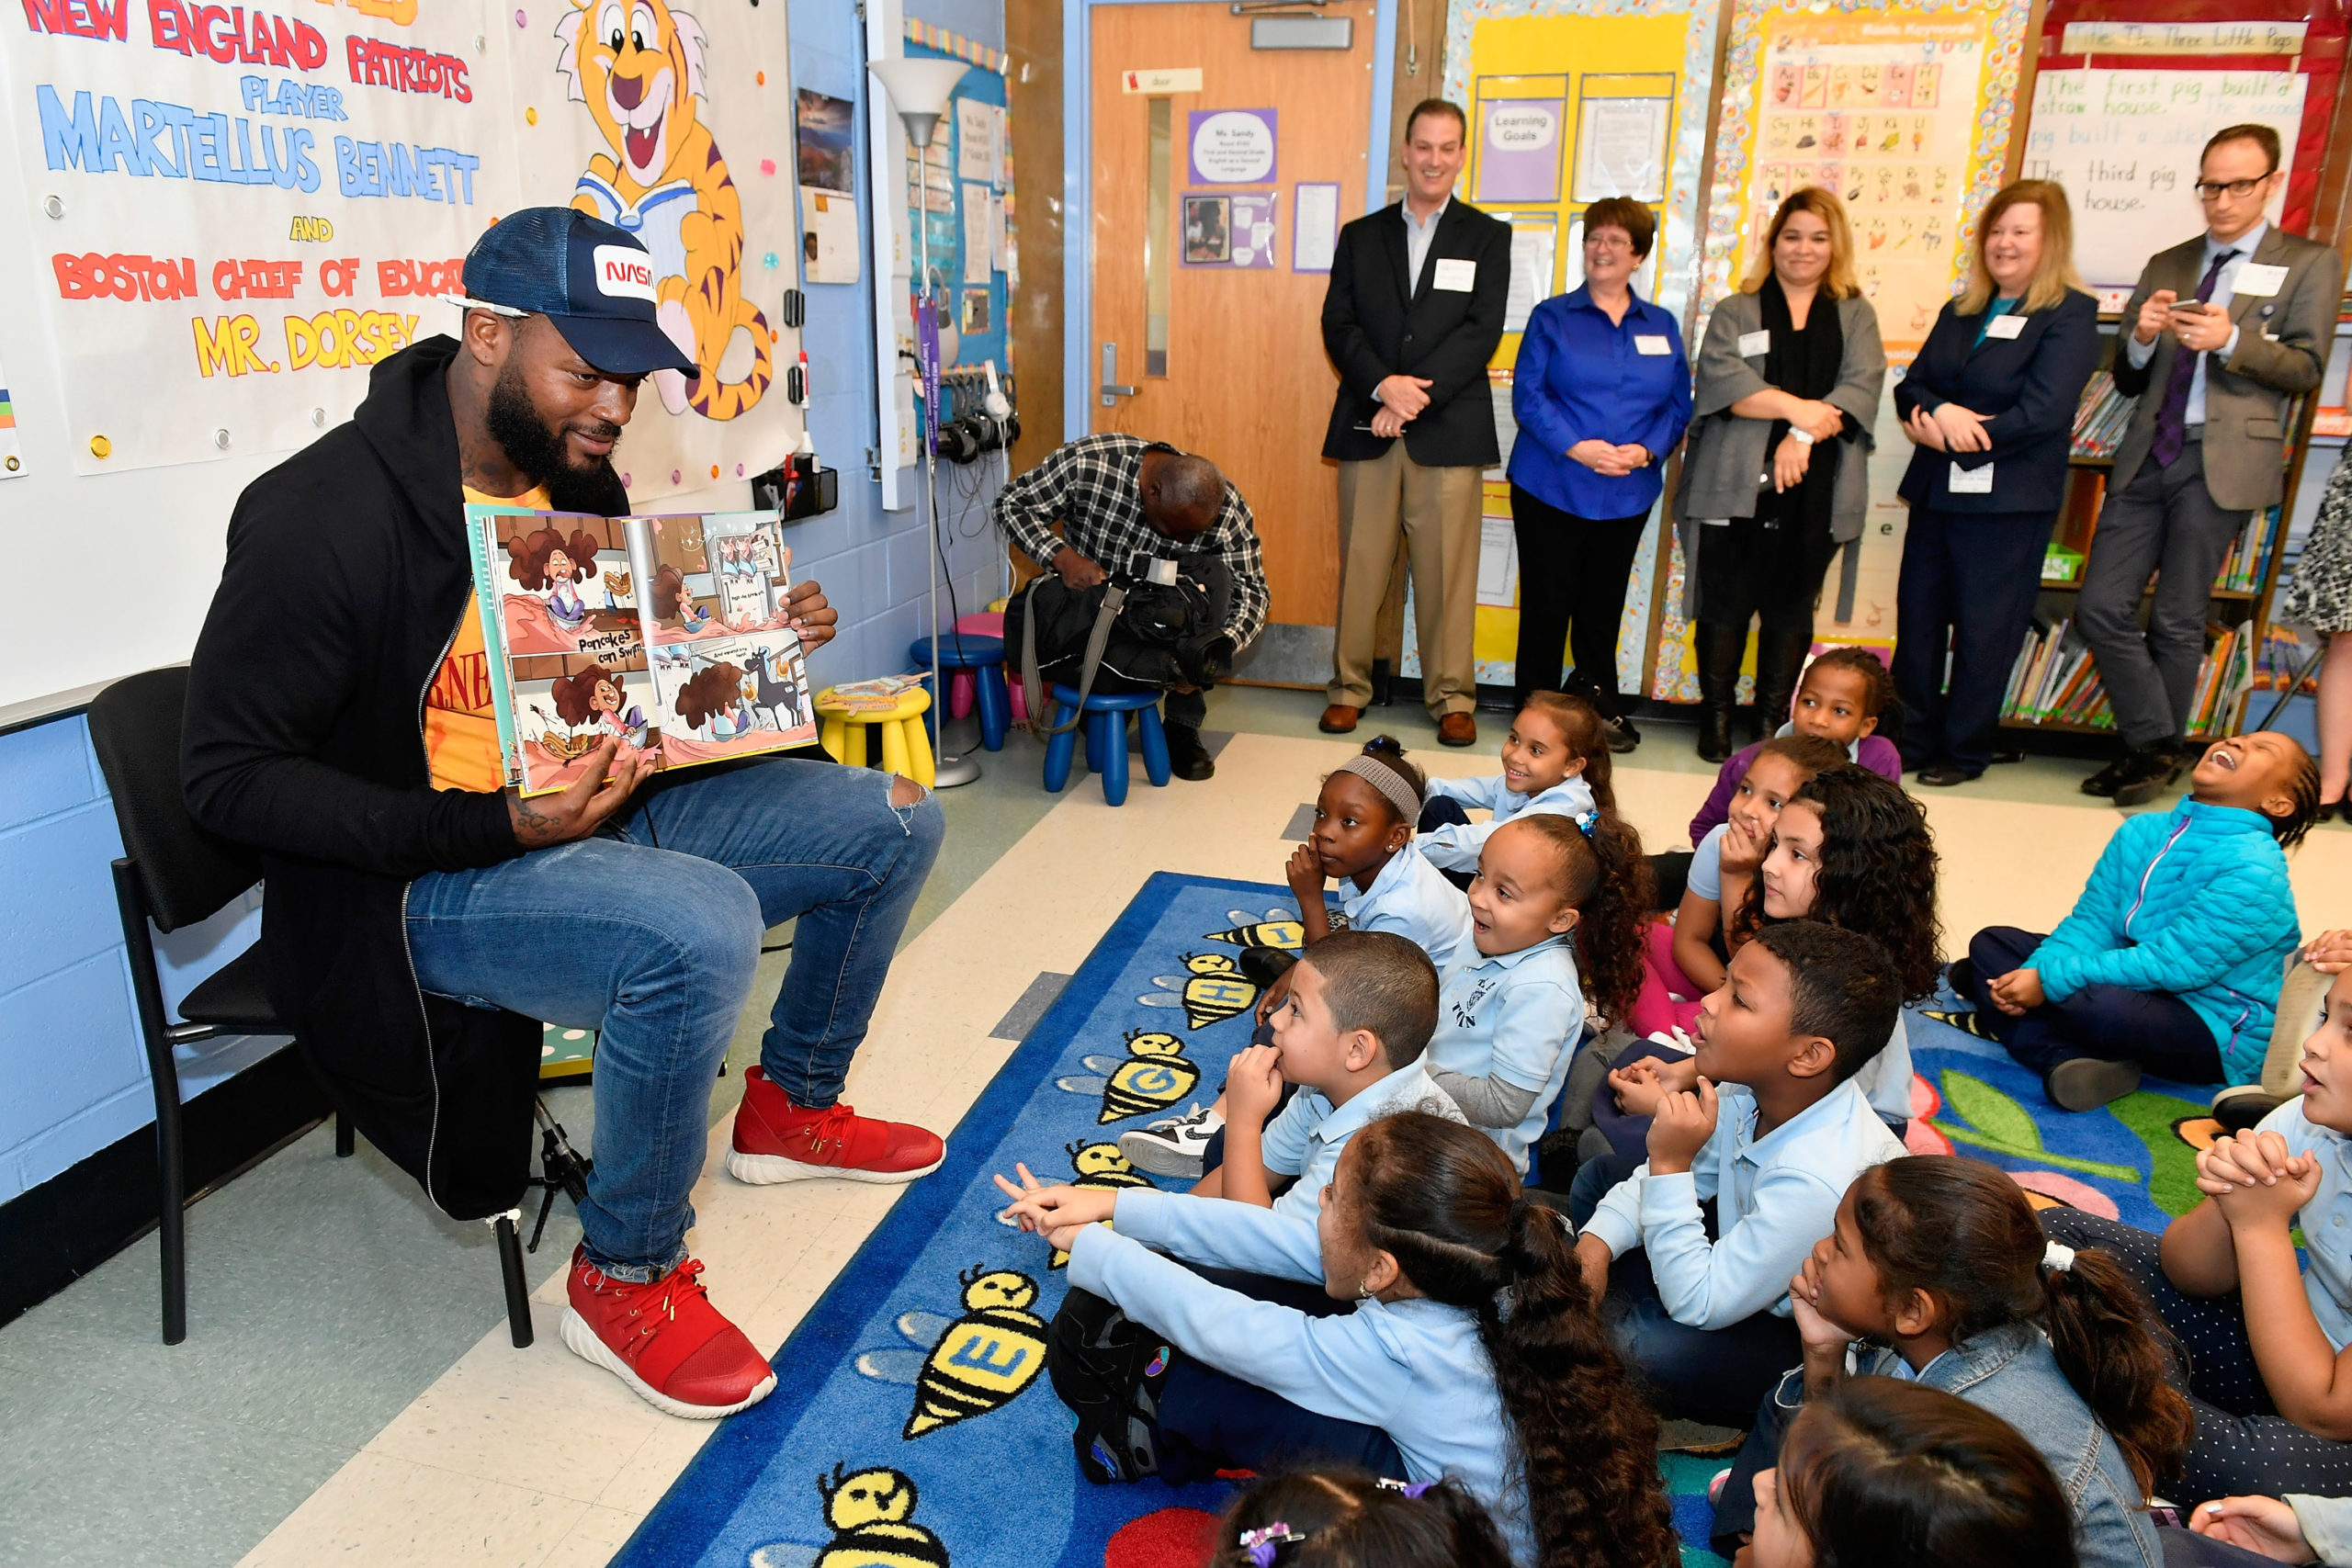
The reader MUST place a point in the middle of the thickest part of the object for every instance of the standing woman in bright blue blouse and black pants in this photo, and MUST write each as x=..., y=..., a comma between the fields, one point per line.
x=1603, y=394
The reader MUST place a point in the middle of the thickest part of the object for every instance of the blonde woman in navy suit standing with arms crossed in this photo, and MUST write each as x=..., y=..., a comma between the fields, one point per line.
x=1991, y=410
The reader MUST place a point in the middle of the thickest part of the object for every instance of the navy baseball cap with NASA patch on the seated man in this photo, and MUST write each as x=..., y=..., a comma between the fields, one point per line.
x=594, y=281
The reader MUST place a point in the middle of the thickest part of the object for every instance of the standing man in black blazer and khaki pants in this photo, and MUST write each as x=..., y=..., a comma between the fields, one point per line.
x=1412, y=319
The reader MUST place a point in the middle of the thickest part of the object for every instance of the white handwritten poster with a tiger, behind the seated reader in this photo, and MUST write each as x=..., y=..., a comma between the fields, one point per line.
x=241, y=210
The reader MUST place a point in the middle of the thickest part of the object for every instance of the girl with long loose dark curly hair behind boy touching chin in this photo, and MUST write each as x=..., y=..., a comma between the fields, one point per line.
x=1850, y=850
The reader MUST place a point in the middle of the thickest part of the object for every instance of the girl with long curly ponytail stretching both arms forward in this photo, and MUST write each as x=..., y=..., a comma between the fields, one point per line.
x=1457, y=1339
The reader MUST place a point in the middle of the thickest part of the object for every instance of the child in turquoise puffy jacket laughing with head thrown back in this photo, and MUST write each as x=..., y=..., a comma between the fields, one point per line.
x=2174, y=953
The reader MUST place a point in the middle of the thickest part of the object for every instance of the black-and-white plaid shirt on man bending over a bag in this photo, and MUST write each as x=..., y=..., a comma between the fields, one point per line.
x=1093, y=490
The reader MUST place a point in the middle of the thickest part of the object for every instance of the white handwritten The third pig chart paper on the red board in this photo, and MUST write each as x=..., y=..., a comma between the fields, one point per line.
x=2125, y=145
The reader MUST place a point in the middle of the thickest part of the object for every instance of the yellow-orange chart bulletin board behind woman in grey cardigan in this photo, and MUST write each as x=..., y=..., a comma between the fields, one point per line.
x=1909, y=109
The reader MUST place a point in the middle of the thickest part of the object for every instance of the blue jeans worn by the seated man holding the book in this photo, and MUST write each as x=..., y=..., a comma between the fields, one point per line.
x=650, y=934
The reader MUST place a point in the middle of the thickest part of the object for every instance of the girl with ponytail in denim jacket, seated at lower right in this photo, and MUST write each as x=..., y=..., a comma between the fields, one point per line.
x=1942, y=1266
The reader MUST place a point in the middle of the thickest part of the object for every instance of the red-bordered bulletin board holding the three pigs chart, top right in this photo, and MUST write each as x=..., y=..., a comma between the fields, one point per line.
x=2127, y=98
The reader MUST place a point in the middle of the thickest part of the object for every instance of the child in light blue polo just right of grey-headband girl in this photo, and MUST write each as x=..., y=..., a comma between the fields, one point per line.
x=1511, y=1010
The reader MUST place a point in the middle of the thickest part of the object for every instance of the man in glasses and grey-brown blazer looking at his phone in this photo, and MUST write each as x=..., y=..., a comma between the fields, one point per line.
x=2221, y=333
